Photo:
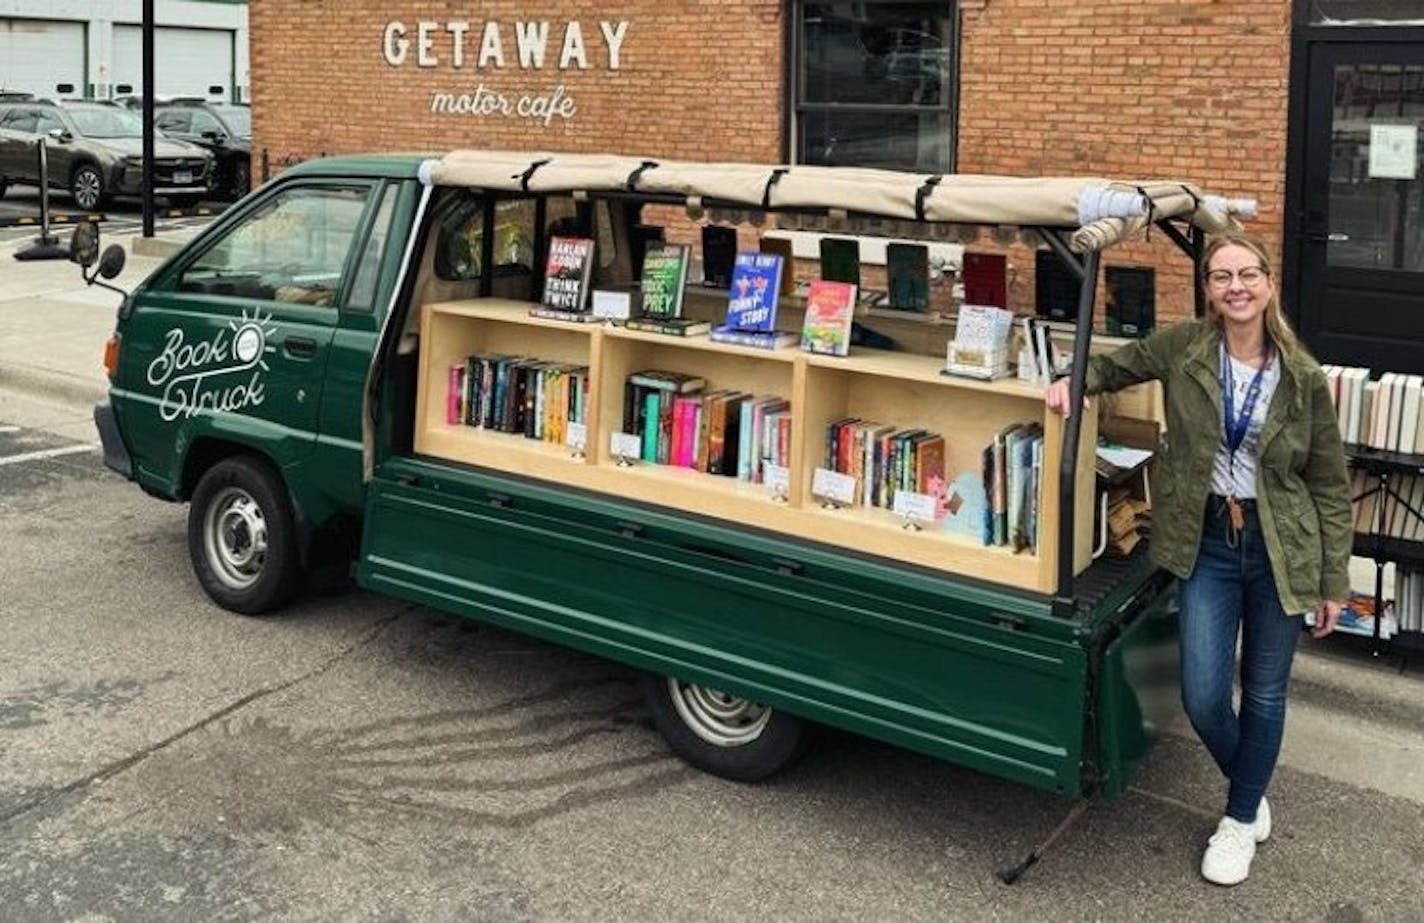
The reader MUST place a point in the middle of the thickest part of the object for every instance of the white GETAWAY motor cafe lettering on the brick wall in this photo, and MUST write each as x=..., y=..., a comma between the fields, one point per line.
x=498, y=46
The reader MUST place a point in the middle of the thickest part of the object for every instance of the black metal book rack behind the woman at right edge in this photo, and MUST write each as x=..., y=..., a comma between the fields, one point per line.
x=1376, y=542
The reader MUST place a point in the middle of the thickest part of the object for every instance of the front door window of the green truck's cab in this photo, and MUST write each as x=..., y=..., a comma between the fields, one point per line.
x=294, y=249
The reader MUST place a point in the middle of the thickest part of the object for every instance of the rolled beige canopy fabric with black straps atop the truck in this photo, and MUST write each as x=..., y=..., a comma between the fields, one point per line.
x=1097, y=212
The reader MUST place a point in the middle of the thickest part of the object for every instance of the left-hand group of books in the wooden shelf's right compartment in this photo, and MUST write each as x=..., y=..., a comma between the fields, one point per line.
x=886, y=461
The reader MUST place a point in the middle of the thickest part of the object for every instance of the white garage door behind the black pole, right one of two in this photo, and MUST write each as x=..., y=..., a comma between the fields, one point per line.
x=187, y=62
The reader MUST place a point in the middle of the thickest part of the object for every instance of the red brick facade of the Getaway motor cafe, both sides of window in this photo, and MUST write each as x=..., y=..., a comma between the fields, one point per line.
x=1188, y=89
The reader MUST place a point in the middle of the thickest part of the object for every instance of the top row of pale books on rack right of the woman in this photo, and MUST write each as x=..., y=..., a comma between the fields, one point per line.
x=1385, y=414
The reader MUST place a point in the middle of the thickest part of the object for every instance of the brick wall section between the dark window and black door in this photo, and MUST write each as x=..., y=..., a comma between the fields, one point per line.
x=1193, y=90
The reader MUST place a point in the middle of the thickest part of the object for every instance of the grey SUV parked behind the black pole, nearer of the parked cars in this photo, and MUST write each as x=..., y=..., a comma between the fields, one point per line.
x=96, y=150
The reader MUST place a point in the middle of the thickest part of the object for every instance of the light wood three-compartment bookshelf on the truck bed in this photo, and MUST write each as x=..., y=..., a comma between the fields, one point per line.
x=895, y=388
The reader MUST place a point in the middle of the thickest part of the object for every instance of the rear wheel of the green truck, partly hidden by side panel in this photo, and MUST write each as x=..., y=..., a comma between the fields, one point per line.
x=724, y=734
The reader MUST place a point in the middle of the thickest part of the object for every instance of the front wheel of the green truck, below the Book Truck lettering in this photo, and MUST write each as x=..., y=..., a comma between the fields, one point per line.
x=241, y=536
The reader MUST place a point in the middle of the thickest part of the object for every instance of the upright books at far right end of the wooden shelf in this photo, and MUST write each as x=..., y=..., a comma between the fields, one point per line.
x=1013, y=485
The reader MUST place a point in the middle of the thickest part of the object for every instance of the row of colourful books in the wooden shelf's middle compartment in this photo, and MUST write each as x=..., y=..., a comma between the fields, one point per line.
x=717, y=432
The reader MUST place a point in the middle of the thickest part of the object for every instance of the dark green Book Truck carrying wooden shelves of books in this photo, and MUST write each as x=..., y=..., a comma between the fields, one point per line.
x=345, y=368
